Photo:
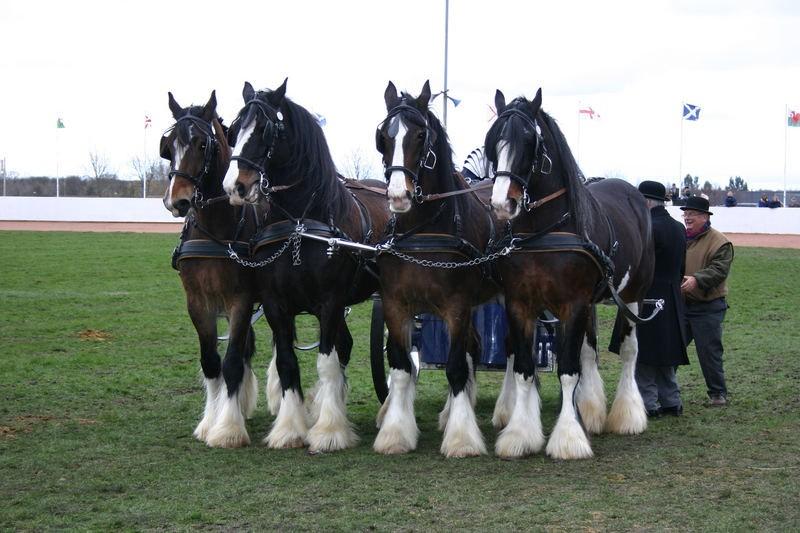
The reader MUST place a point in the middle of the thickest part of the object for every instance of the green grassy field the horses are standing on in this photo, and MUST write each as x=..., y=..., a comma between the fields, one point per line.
x=100, y=392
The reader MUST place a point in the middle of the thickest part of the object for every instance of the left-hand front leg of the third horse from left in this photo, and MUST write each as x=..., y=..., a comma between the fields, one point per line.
x=398, y=428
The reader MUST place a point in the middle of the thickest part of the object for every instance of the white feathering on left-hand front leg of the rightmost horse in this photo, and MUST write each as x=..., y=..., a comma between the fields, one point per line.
x=522, y=434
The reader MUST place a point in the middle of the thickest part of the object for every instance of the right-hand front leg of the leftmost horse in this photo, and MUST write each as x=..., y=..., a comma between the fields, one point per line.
x=240, y=390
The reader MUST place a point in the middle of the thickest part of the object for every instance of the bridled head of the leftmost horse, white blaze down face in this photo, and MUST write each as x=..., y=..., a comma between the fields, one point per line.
x=196, y=148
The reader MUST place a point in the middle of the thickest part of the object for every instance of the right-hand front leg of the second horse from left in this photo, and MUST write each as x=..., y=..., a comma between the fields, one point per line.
x=331, y=431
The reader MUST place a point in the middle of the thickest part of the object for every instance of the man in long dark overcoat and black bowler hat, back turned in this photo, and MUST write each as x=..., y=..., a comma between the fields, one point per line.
x=662, y=341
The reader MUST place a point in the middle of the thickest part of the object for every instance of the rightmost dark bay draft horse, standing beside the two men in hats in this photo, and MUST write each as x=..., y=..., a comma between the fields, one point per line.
x=575, y=243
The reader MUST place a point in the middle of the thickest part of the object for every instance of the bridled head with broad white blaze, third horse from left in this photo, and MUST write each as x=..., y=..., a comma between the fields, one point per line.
x=408, y=139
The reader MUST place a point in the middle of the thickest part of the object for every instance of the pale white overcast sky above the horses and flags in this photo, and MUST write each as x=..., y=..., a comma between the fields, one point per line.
x=101, y=66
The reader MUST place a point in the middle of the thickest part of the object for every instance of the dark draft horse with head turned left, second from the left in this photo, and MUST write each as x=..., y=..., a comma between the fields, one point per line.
x=282, y=157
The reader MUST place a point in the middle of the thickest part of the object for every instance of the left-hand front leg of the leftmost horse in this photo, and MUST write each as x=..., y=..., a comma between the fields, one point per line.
x=205, y=322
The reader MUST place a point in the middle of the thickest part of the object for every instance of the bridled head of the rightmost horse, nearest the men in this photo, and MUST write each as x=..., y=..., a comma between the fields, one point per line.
x=516, y=148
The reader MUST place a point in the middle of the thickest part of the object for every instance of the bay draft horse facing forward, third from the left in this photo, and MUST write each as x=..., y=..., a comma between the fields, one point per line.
x=437, y=219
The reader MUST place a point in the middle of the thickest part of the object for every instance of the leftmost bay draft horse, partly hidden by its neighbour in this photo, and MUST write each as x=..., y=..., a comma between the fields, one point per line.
x=198, y=151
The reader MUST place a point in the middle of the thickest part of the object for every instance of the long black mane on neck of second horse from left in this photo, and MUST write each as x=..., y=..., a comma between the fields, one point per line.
x=311, y=160
